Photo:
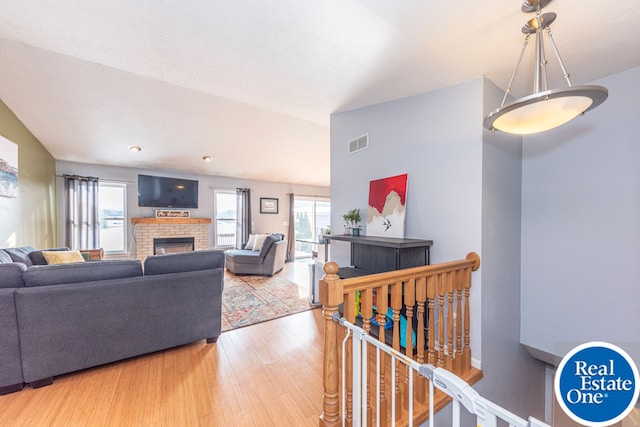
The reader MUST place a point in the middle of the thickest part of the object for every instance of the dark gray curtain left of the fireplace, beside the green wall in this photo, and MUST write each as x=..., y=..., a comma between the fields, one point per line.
x=82, y=226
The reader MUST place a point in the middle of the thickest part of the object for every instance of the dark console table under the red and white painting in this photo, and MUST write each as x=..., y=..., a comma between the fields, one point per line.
x=373, y=254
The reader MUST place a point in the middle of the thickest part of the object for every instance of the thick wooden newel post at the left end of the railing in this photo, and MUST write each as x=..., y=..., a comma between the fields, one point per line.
x=331, y=296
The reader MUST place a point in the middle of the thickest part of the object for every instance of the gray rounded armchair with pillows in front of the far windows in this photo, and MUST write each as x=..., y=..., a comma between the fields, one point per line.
x=268, y=260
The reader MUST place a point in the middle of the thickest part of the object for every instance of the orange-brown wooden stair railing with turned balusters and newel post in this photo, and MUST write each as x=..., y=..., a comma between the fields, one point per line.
x=435, y=295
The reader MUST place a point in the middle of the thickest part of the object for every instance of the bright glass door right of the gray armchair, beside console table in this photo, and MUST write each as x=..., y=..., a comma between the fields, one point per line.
x=312, y=217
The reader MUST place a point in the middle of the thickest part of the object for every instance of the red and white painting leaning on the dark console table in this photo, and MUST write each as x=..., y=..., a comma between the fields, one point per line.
x=387, y=206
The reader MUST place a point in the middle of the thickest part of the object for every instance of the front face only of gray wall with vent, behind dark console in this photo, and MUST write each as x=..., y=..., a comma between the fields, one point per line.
x=434, y=138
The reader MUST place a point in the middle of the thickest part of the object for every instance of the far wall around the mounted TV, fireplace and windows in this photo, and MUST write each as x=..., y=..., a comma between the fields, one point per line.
x=262, y=223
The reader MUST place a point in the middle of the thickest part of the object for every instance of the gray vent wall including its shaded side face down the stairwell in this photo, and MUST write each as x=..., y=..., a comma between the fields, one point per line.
x=465, y=195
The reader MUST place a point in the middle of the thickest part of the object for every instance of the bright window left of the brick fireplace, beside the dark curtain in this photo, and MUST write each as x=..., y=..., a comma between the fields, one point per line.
x=112, y=198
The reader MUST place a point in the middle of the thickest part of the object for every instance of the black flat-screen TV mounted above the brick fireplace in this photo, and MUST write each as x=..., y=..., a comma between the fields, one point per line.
x=164, y=192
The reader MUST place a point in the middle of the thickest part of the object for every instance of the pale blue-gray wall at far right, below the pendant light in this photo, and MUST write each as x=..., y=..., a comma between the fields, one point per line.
x=581, y=227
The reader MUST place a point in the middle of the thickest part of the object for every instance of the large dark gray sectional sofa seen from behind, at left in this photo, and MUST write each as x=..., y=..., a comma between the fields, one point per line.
x=57, y=319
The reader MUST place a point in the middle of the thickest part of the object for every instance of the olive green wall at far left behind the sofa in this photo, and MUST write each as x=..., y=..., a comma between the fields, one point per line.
x=30, y=218
